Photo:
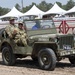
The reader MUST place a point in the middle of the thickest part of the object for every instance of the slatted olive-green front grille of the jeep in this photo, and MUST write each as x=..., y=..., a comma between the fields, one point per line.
x=66, y=40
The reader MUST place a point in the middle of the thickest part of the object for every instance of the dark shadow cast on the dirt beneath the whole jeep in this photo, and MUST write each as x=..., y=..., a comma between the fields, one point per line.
x=29, y=63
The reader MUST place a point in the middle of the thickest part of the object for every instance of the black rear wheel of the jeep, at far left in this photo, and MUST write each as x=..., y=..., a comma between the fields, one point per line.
x=8, y=56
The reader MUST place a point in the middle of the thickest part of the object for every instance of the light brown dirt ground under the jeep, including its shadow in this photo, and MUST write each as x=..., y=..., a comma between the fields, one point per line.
x=28, y=67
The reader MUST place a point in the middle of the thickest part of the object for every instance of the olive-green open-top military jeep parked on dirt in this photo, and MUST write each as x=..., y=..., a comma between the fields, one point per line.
x=44, y=45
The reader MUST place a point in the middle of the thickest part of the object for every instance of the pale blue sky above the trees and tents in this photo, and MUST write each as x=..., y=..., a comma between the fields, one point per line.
x=11, y=3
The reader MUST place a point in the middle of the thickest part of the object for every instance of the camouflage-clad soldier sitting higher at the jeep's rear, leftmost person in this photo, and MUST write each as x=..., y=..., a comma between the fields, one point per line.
x=11, y=29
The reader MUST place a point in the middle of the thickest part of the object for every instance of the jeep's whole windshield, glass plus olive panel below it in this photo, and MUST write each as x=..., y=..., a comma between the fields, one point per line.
x=40, y=26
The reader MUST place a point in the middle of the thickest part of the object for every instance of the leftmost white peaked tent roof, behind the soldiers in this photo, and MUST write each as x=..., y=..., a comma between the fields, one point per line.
x=13, y=13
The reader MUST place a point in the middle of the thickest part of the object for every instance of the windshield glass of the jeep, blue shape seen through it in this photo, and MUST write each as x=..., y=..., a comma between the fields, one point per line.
x=39, y=24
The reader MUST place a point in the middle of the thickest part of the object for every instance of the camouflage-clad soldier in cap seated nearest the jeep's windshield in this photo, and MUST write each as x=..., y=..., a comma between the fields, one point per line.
x=21, y=37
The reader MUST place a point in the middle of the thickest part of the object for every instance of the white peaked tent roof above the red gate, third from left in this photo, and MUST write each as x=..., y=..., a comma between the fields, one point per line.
x=56, y=10
